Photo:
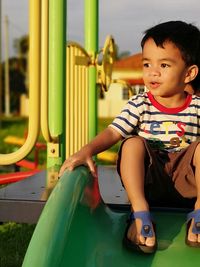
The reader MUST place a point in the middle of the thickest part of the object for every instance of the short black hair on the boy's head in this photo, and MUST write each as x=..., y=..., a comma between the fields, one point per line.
x=185, y=36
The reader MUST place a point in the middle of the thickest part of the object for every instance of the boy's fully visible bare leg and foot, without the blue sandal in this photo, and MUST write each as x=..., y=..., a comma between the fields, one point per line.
x=132, y=173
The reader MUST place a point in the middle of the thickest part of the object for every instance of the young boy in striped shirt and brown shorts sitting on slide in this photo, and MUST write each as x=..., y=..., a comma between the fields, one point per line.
x=159, y=159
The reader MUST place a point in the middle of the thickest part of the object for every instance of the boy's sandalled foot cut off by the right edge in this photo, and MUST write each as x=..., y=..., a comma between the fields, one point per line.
x=193, y=229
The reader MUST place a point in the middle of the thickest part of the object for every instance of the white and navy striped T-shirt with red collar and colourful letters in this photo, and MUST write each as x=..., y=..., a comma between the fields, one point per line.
x=164, y=128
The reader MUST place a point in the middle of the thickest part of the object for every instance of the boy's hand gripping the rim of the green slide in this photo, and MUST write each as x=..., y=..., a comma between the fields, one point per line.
x=76, y=160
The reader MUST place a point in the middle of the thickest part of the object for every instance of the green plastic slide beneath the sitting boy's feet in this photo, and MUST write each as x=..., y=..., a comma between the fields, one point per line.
x=77, y=229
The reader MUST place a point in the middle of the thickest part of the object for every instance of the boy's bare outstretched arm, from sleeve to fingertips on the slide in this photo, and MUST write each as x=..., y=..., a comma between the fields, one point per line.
x=101, y=142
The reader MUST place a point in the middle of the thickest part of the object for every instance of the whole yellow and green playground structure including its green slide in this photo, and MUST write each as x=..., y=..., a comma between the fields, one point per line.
x=80, y=225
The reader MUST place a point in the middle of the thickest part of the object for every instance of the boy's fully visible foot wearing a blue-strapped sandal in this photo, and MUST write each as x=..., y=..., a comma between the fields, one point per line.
x=139, y=234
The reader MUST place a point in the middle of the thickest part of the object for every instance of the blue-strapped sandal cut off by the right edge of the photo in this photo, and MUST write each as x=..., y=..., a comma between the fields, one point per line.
x=195, y=229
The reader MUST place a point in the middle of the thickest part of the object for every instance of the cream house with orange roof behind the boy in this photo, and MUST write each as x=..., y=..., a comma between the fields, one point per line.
x=127, y=74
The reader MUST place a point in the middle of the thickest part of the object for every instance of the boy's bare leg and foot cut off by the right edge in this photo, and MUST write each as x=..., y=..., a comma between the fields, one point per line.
x=196, y=162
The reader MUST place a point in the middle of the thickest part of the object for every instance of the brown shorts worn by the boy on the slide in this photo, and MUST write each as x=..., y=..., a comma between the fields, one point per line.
x=169, y=176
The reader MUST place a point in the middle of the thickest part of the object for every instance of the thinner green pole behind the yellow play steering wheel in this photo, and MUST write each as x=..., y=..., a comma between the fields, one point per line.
x=91, y=46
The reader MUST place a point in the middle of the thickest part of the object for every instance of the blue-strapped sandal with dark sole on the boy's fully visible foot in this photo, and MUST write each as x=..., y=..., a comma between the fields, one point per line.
x=146, y=231
